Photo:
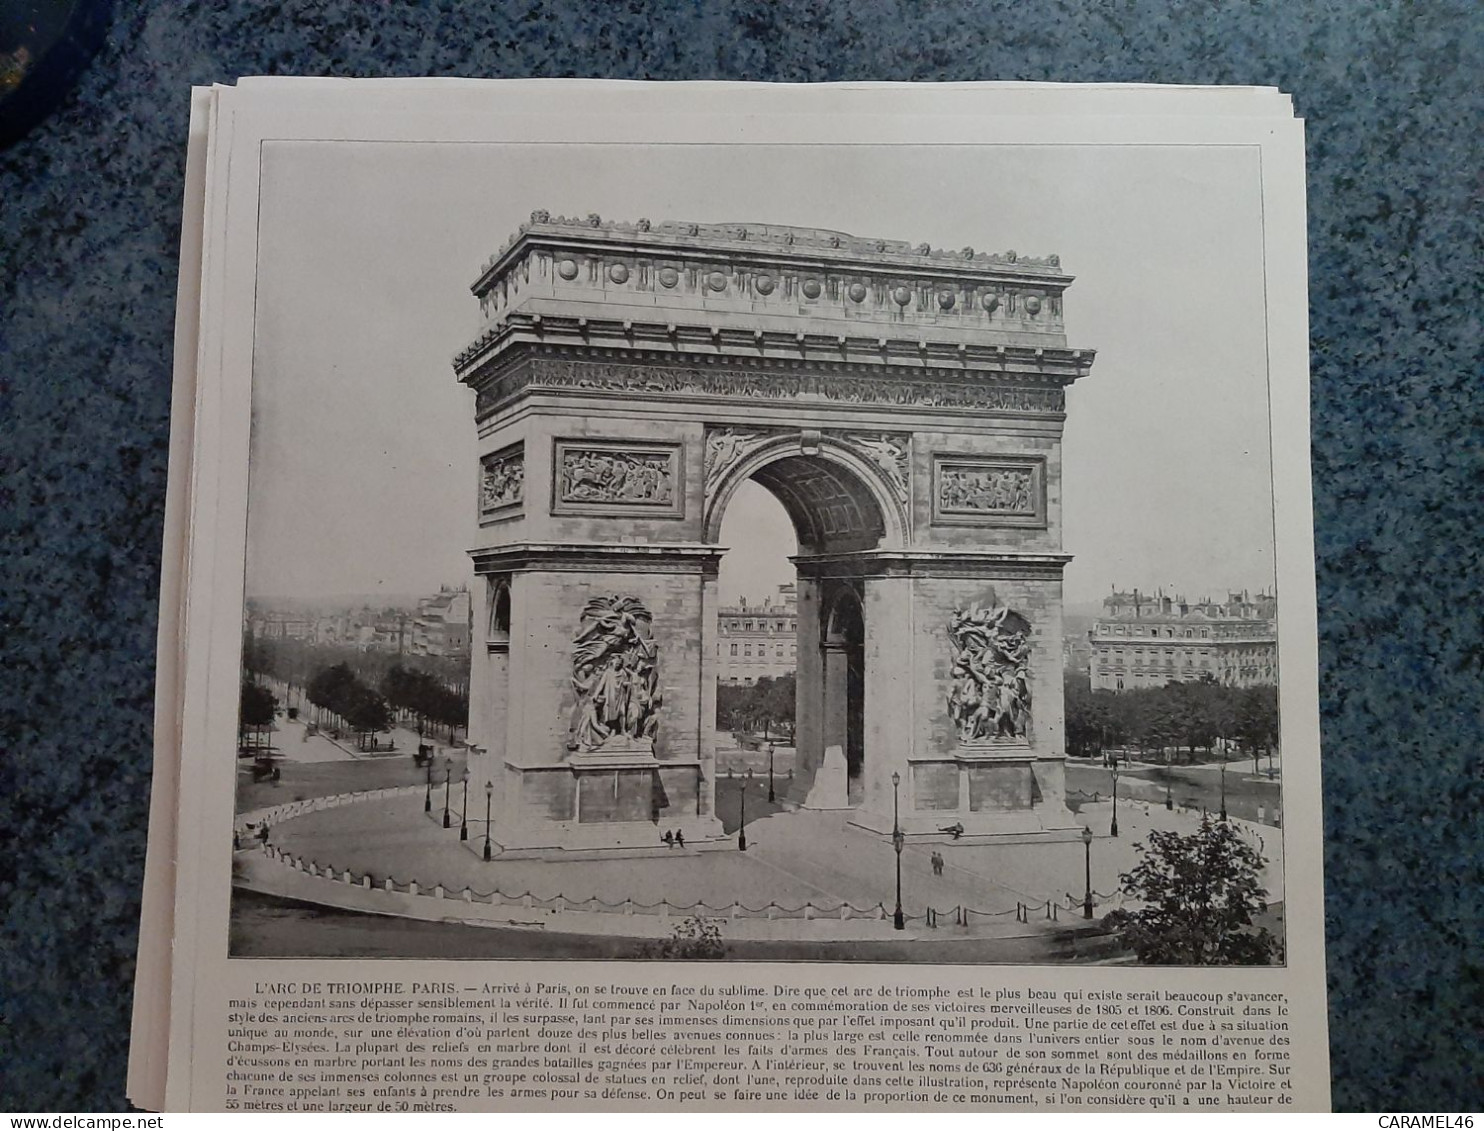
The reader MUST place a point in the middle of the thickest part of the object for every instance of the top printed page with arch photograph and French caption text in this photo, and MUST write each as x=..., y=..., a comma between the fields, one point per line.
x=774, y=611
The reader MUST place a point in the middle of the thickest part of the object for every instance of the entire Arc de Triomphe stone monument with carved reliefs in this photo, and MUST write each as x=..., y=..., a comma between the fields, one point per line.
x=906, y=406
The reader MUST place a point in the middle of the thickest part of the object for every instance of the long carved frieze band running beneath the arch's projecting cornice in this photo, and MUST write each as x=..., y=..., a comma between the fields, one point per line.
x=766, y=385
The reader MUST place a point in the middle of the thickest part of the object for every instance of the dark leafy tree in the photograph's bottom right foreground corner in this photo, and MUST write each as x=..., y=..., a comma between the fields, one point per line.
x=1201, y=894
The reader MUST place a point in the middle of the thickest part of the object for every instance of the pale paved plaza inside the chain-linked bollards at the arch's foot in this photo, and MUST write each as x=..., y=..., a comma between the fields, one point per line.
x=793, y=859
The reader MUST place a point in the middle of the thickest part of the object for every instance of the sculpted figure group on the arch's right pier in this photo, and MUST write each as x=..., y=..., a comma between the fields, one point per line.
x=989, y=698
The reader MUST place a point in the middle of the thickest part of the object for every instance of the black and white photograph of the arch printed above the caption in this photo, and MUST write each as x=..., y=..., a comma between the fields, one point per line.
x=761, y=553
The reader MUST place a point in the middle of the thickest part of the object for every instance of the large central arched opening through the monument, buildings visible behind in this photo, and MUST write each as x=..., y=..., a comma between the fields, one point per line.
x=789, y=633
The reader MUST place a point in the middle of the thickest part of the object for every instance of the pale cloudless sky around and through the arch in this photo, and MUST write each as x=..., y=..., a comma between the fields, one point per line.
x=364, y=442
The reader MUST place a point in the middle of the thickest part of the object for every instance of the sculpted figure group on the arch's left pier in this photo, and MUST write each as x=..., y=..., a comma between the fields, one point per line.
x=615, y=676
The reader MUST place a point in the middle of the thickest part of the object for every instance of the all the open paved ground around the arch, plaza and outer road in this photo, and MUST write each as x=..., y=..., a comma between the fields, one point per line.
x=795, y=860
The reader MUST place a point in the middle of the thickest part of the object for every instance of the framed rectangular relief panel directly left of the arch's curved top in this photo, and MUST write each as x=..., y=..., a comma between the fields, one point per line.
x=617, y=477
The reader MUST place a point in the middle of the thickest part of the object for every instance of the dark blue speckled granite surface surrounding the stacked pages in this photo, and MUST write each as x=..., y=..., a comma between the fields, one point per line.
x=90, y=210
